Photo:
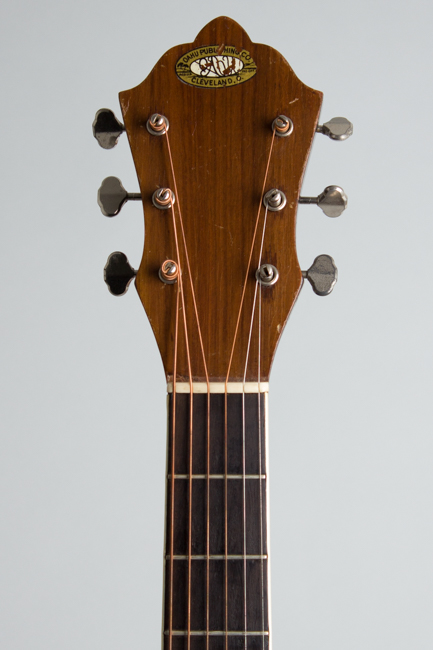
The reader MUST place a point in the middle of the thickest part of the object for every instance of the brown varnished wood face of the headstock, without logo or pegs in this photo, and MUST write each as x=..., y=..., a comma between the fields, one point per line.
x=220, y=140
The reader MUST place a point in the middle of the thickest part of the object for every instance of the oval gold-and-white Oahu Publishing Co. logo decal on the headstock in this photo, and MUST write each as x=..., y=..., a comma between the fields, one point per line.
x=209, y=67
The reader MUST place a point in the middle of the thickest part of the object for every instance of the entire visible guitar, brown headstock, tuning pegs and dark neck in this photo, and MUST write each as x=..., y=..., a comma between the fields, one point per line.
x=220, y=132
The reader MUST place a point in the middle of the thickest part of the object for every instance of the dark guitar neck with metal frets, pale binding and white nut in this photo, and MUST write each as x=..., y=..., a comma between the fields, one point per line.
x=216, y=552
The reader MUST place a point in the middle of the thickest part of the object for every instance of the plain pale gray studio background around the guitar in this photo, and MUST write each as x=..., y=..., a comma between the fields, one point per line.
x=83, y=392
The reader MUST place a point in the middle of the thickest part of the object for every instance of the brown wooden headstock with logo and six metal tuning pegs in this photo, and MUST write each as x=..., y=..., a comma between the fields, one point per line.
x=220, y=132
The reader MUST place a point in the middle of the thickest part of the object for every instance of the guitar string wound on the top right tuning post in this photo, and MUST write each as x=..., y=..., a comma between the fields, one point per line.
x=226, y=395
